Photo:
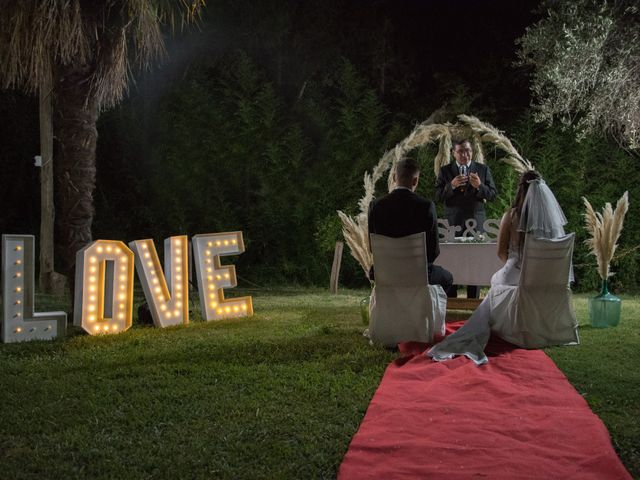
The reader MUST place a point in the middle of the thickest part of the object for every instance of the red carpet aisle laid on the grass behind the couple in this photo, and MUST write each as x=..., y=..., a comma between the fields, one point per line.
x=516, y=418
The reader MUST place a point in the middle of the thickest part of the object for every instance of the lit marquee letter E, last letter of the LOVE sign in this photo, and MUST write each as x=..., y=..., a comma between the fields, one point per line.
x=213, y=277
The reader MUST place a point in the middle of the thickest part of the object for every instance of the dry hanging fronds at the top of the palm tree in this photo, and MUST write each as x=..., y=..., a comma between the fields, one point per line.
x=100, y=39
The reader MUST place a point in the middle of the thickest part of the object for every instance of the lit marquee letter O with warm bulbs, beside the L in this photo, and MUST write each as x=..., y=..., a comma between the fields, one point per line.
x=104, y=287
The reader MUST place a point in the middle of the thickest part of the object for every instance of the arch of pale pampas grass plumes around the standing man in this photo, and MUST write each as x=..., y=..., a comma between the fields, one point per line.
x=355, y=229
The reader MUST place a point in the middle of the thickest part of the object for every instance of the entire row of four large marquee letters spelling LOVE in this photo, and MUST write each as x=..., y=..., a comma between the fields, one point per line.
x=104, y=285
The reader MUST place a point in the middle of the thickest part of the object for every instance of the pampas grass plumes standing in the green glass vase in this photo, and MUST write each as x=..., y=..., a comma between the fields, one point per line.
x=604, y=229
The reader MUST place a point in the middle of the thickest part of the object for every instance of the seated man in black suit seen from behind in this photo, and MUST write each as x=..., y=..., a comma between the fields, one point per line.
x=402, y=212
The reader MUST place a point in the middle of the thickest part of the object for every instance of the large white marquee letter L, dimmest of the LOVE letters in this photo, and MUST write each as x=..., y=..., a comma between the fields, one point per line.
x=19, y=321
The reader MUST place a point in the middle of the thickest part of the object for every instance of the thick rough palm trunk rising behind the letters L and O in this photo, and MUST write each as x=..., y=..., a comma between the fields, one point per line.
x=76, y=163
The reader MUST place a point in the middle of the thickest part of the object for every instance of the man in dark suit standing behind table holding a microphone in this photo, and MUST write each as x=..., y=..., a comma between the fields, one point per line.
x=464, y=186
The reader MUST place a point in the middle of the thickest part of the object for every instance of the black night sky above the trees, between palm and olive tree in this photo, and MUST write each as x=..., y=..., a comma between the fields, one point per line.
x=432, y=45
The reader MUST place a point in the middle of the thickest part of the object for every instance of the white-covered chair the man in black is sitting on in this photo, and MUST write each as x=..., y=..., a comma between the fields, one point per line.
x=404, y=307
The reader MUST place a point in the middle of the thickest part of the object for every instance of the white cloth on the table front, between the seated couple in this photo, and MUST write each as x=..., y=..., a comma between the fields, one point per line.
x=470, y=263
